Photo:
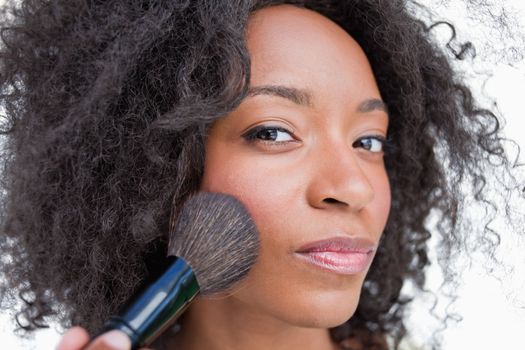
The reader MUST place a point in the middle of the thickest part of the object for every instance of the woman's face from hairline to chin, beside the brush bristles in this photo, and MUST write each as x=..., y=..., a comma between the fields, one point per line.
x=304, y=153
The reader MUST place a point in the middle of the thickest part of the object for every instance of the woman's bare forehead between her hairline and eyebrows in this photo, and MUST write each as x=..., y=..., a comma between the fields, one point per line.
x=294, y=46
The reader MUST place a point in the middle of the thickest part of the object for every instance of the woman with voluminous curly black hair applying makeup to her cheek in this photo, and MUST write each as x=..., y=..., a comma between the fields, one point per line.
x=328, y=120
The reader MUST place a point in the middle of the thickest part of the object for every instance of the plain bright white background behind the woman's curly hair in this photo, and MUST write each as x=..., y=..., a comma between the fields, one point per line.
x=493, y=309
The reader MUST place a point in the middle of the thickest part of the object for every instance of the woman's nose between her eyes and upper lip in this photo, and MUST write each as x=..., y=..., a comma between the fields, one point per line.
x=338, y=180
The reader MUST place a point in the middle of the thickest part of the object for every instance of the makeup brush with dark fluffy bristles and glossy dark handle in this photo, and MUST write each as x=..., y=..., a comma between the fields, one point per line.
x=212, y=246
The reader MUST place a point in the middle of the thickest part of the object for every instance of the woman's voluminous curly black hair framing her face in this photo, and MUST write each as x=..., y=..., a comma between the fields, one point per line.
x=106, y=106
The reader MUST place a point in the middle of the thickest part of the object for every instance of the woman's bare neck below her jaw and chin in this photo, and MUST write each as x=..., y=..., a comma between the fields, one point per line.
x=230, y=324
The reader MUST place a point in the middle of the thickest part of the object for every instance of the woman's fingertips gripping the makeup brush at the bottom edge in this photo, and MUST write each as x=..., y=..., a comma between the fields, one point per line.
x=77, y=339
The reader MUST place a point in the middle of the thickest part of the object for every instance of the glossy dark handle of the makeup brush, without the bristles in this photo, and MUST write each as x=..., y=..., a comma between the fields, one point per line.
x=158, y=306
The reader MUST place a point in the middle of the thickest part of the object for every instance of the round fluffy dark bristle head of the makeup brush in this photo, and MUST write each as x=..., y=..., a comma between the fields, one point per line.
x=216, y=235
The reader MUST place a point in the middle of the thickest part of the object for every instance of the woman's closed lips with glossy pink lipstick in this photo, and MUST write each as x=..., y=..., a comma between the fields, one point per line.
x=341, y=255
